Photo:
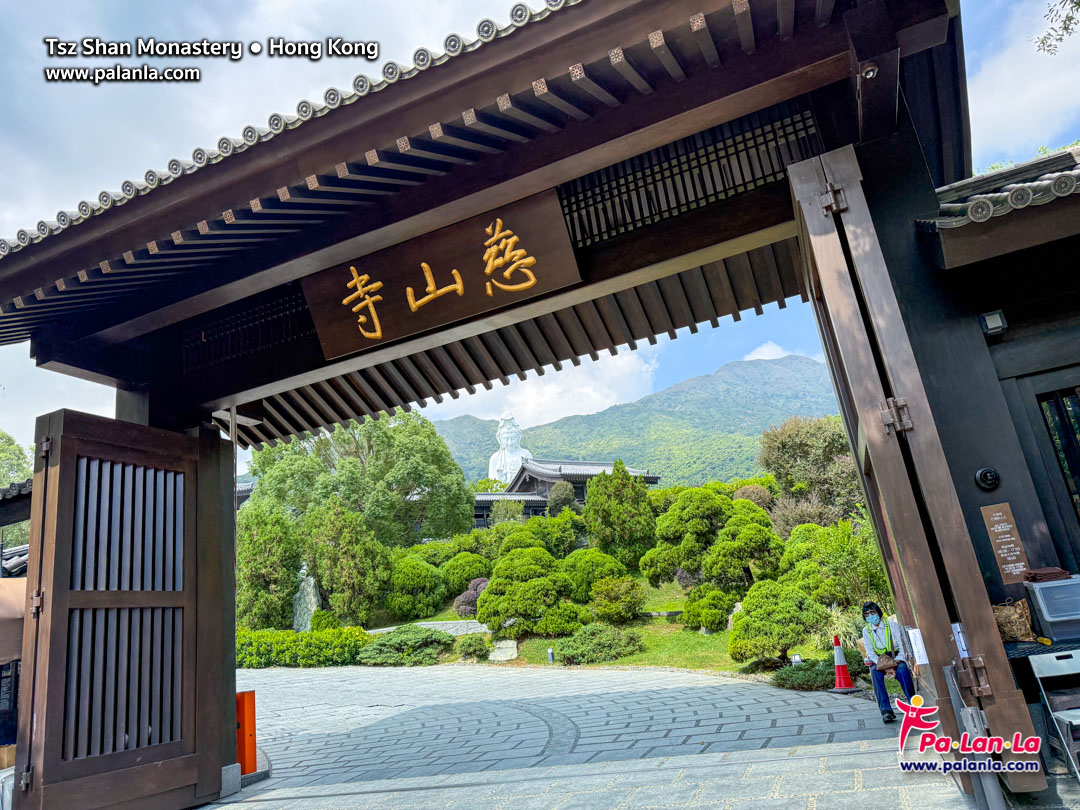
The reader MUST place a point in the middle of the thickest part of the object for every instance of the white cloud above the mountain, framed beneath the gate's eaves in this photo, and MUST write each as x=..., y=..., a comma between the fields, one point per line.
x=586, y=389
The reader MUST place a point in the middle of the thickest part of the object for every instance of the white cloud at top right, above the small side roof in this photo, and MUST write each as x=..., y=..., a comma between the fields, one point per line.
x=1020, y=99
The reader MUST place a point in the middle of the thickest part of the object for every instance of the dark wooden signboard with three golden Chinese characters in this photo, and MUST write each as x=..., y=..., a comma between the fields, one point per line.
x=482, y=264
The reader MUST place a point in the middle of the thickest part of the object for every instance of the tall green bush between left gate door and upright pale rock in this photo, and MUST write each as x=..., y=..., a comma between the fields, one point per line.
x=268, y=561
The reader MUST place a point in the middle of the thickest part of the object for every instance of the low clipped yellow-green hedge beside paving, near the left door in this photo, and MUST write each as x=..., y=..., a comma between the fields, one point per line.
x=340, y=647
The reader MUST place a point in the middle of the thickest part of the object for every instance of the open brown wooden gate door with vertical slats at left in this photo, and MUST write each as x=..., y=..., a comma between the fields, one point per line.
x=111, y=659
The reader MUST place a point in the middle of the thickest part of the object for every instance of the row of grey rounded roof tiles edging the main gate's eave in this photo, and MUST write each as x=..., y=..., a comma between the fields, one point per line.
x=252, y=136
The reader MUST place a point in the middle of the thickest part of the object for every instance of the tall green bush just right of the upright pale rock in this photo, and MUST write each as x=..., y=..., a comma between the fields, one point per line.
x=352, y=568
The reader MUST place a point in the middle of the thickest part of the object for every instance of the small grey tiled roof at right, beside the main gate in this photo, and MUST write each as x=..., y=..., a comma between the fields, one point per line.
x=980, y=199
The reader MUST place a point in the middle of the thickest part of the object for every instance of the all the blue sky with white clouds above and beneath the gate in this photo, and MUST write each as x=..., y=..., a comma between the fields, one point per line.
x=61, y=144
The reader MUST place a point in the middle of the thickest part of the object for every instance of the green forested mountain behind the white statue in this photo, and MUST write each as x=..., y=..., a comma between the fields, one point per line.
x=703, y=429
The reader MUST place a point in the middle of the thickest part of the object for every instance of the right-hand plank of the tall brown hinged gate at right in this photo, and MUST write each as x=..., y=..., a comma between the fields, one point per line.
x=1005, y=708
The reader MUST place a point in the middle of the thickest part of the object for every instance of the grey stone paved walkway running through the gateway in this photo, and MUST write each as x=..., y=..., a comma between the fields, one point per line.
x=482, y=737
